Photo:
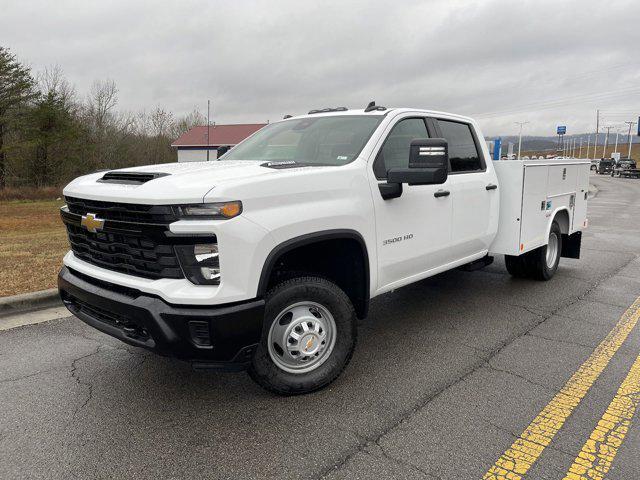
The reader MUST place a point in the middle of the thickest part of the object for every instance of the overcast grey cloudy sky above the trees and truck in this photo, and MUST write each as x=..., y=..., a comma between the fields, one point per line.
x=546, y=62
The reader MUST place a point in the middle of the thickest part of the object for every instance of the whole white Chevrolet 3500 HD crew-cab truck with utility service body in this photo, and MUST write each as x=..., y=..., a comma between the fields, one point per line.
x=266, y=258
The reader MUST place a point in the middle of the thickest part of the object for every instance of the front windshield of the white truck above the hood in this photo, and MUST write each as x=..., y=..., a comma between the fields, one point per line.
x=332, y=140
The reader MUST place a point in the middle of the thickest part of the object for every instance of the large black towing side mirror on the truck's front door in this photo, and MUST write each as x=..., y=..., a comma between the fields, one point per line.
x=428, y=165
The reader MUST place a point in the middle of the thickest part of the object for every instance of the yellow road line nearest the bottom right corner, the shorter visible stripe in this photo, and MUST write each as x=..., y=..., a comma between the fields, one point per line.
x=597, y=454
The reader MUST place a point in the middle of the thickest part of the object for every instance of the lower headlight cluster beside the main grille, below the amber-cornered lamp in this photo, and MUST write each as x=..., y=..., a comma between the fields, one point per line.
x=200, y=263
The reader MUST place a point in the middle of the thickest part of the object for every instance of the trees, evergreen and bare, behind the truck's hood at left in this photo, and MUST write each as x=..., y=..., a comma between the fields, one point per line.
x=49, y=134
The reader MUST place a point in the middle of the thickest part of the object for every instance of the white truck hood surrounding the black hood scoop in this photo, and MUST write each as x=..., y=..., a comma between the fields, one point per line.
x=174, y=182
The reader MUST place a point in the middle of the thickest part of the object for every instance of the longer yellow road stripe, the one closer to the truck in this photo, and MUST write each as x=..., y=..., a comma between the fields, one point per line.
x=520, y=457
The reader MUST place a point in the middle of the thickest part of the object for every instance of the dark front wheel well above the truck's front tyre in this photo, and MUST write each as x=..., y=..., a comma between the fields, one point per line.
x=340, y=259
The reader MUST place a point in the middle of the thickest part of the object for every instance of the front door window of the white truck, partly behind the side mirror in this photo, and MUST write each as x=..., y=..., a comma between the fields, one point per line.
x=395, y=150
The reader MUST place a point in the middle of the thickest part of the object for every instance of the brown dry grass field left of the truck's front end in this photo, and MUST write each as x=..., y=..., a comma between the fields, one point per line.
x=32, y=243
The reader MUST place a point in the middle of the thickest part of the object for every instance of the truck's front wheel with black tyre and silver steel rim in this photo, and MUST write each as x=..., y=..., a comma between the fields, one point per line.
x=308, y=337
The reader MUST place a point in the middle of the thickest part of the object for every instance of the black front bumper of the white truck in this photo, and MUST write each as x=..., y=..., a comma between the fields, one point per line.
x=216, y=337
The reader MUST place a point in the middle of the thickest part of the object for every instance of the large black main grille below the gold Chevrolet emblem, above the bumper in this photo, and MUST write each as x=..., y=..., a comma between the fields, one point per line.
x=129, y=253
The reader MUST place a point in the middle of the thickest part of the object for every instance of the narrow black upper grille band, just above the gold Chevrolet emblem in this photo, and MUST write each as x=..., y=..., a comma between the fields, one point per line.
x=124, y=212
